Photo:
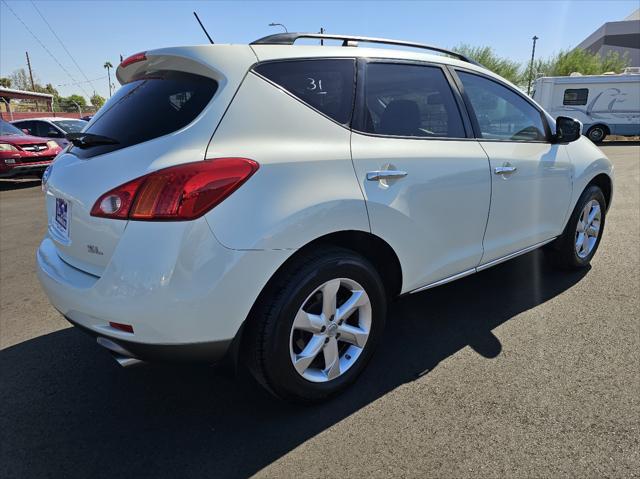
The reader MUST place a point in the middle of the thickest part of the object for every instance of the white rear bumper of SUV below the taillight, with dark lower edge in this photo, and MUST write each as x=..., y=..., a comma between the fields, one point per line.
x=185, y=295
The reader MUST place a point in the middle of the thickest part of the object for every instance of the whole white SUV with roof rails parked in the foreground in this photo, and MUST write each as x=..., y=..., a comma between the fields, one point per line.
x=268, y=200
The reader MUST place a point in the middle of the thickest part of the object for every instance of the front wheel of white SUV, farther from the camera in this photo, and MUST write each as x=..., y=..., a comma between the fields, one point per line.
x=579, y=242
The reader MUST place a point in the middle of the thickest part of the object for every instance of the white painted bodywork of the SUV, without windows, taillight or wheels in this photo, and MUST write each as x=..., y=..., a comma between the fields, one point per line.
x=181, y=283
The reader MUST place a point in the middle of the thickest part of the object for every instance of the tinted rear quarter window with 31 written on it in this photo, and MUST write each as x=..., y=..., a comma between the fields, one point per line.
x=326, y=85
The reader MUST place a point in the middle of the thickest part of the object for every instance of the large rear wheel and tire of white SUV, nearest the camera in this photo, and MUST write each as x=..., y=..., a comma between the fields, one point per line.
x=317, y=325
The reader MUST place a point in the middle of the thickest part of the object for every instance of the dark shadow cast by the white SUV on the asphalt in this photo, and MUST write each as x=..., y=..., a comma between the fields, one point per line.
x=69, y=410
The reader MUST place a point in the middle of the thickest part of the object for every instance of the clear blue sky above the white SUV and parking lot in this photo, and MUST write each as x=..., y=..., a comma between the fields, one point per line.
x=96, y=31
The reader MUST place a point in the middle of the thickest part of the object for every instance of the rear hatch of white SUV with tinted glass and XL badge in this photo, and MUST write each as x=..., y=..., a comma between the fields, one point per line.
x=164, y=114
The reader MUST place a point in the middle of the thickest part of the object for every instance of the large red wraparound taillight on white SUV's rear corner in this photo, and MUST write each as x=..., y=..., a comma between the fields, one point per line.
x=177, y=193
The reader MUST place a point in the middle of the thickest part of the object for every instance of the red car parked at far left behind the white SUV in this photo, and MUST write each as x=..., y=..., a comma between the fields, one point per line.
x=22, y=154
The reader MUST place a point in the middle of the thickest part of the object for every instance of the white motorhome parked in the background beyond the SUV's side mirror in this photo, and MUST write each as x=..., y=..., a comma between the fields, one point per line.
x=605, y=104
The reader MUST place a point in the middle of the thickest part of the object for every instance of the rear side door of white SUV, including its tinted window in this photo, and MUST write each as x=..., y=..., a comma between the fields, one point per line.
x=426, y=181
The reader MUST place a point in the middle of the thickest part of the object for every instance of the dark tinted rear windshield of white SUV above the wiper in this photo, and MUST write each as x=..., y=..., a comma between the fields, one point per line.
x=153, y=105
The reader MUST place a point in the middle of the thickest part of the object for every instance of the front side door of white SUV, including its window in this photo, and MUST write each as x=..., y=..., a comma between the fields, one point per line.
x=531, y=178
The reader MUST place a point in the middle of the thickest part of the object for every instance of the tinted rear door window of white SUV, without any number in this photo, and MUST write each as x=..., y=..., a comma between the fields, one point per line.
x=409, y=100
